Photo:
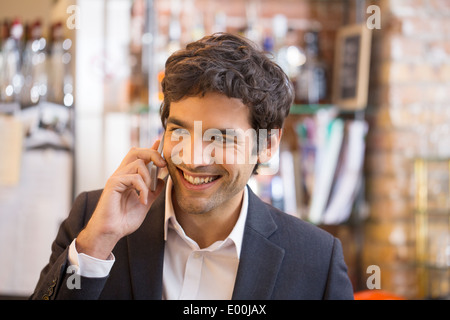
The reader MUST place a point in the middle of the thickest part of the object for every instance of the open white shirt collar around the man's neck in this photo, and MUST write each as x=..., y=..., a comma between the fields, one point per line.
x=236, y=234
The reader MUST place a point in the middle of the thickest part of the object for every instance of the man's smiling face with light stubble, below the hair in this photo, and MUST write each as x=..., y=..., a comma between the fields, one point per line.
x=206, y=185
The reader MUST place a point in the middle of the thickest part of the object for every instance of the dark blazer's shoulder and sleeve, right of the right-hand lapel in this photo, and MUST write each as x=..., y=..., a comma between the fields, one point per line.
x=316, y=257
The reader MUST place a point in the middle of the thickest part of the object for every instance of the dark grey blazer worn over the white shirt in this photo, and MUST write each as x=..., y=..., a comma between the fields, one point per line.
x=282, y=258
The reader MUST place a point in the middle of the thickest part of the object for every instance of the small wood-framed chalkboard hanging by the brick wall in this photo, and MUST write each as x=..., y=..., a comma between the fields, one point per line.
x=352, y=64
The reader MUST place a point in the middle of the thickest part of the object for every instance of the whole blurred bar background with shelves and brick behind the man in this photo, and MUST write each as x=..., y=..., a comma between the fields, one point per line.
x=365, y=152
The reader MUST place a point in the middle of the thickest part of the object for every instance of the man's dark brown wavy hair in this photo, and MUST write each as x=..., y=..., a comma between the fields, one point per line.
x=232, y=65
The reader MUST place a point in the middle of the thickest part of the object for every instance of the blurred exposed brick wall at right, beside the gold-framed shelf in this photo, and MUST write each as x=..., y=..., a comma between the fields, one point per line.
x=409, y=113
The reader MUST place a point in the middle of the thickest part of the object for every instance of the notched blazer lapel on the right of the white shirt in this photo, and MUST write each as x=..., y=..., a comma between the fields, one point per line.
x=260, y=258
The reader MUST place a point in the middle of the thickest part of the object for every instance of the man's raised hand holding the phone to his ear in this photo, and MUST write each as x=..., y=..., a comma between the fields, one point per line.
x=123, y=204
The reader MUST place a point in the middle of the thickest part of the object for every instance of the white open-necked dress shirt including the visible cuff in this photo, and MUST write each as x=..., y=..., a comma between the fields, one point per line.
x=188, y=271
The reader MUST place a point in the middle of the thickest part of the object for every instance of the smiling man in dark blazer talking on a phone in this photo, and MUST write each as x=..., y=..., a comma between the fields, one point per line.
x=202, y=234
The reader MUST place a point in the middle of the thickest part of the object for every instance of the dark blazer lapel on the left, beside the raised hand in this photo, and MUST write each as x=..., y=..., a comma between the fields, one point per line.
x=146, y=253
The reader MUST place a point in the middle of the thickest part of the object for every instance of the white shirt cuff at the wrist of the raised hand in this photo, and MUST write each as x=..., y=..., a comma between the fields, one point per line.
x=88, y=266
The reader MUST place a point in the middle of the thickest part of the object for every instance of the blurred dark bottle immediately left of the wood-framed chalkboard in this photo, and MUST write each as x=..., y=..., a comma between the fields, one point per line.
x=311, y=86
